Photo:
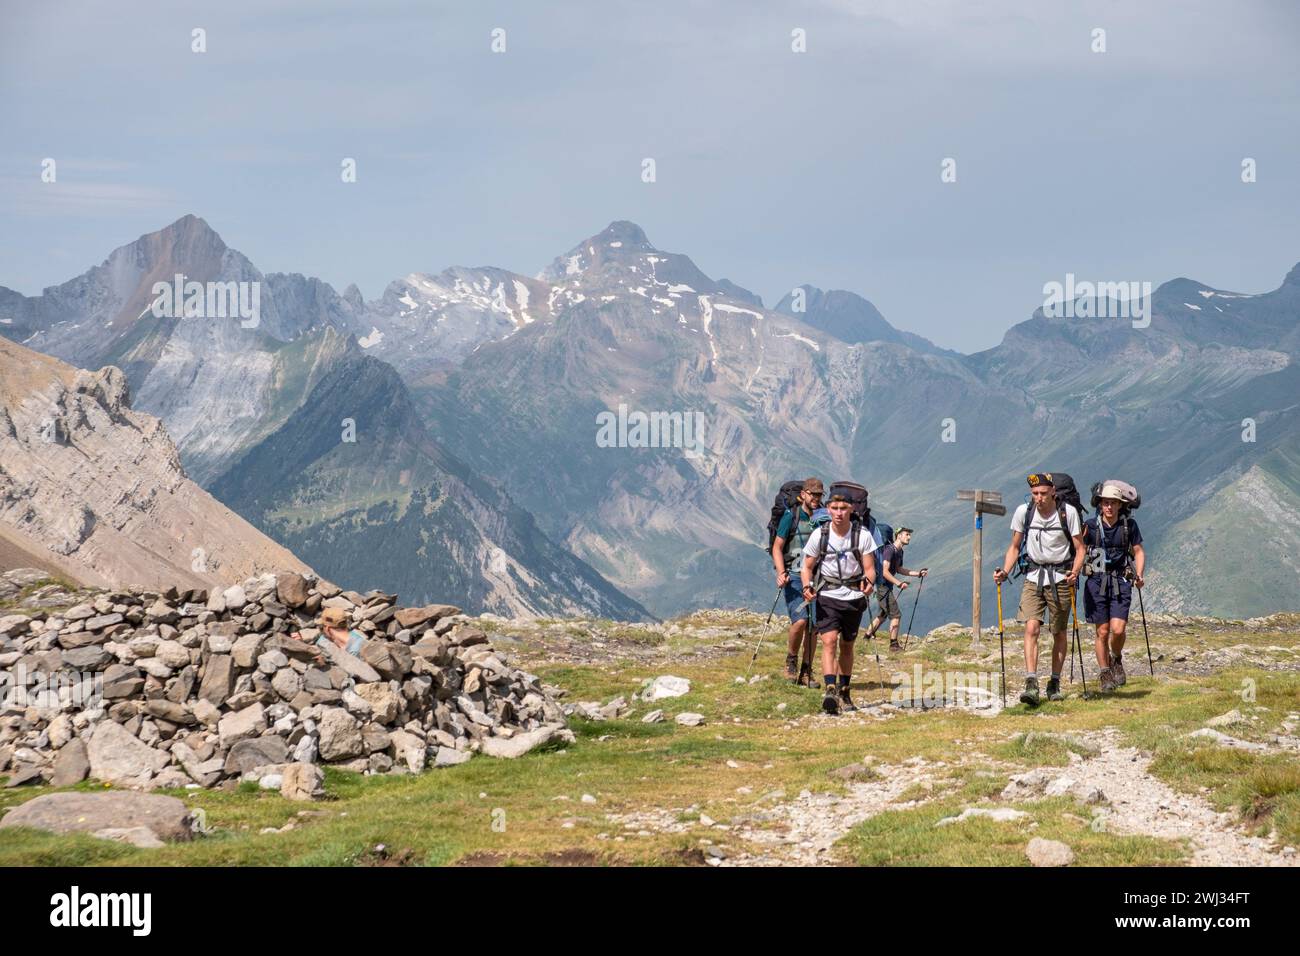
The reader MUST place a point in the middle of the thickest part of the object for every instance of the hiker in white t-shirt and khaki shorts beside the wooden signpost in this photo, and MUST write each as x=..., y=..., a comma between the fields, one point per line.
x=1052, y=531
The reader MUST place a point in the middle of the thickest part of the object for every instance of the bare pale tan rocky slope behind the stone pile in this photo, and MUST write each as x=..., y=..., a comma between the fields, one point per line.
x=98, y=491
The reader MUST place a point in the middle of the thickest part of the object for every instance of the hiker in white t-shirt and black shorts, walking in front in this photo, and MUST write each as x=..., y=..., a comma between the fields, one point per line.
x=838, y=576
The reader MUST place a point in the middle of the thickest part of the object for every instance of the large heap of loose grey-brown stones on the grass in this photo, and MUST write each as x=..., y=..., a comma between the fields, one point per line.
x=189, y=689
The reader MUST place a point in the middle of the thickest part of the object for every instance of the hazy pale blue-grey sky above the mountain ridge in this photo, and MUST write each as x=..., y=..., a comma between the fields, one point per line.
x=773, y=168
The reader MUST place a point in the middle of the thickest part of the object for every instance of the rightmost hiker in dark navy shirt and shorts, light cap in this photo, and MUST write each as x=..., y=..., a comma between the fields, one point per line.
x=1117, y=563
